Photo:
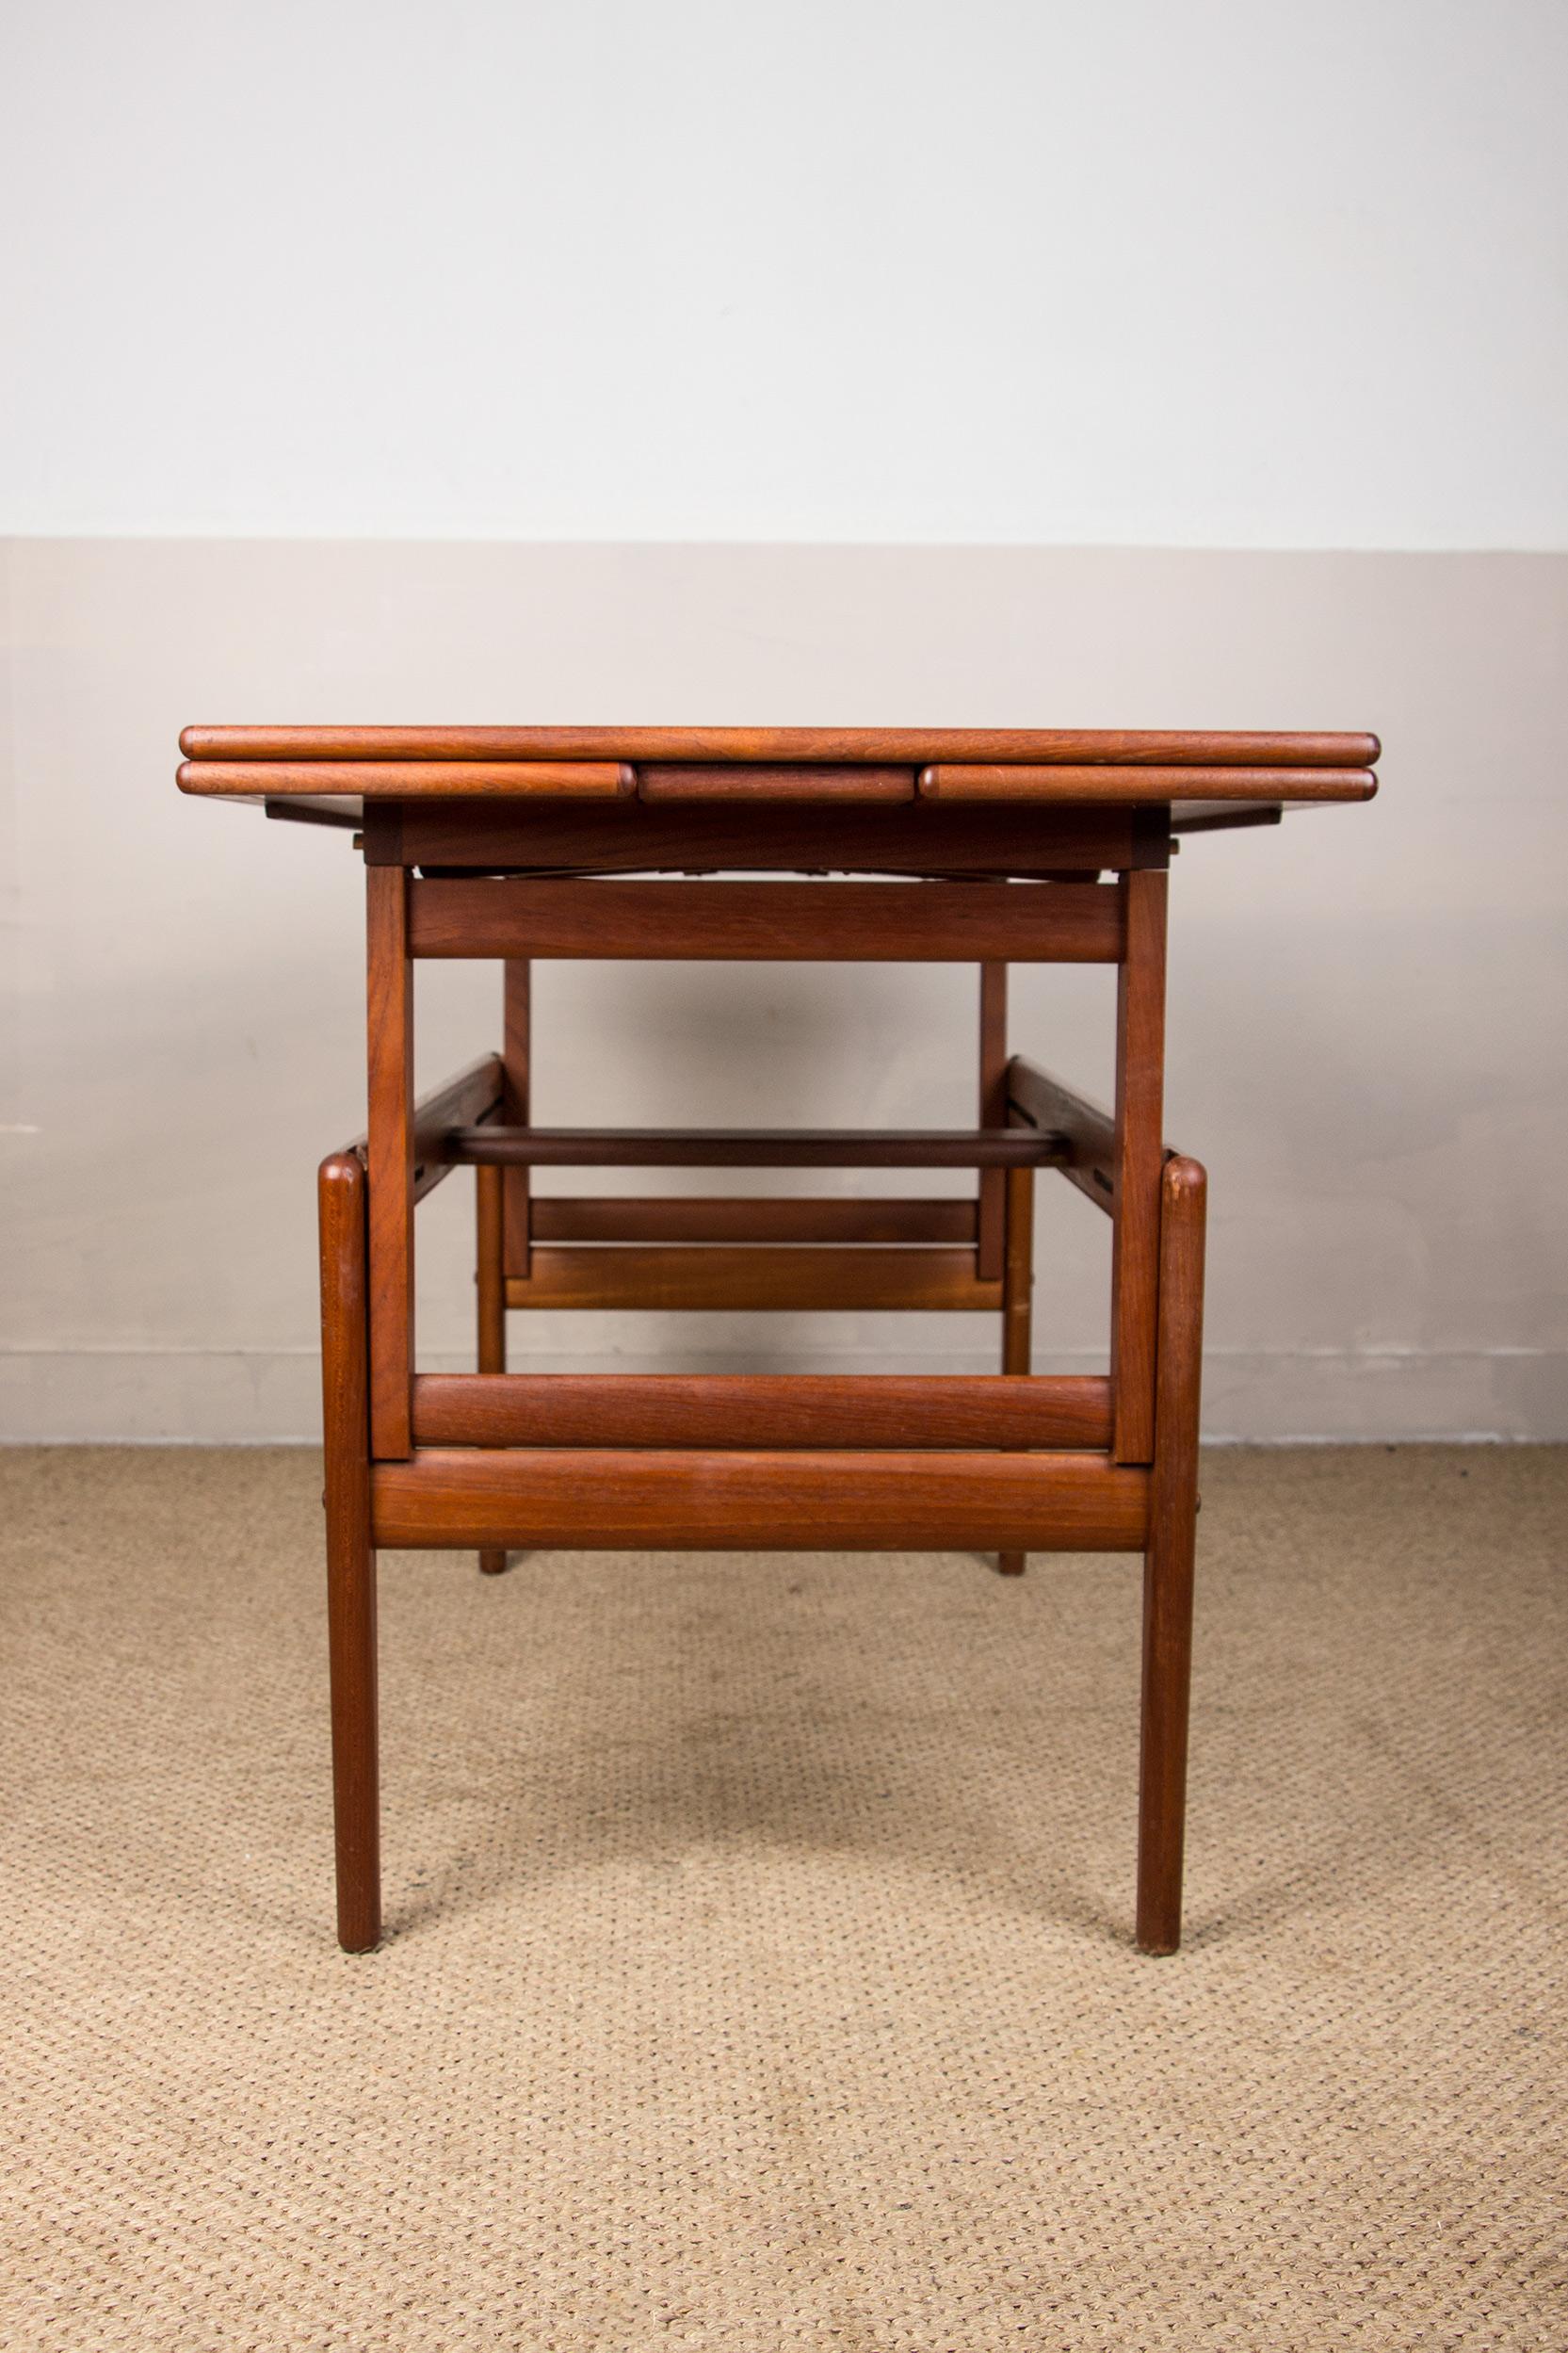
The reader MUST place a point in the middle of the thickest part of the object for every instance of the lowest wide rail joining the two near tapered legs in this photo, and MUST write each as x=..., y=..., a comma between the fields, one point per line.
x=612, y=1500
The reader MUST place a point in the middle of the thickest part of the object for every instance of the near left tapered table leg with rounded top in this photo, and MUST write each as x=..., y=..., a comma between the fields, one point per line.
x=351, y=1561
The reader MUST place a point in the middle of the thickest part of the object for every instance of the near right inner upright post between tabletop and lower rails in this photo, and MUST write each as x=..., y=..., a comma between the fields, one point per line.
x=1141, y=1053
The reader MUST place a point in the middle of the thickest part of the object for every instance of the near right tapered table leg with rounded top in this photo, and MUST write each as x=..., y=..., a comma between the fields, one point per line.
x=1167, y=1568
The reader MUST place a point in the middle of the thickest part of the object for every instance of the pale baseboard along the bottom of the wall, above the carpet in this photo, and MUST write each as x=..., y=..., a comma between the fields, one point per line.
x=145, y=1397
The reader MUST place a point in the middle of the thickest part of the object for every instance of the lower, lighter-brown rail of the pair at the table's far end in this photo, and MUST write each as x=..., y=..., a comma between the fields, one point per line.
x=753, y=1279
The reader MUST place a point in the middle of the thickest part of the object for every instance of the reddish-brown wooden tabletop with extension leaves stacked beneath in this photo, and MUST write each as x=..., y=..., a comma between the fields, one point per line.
x=1207, y=773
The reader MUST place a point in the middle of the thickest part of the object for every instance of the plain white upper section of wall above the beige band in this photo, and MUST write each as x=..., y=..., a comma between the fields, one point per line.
x=1137, y=272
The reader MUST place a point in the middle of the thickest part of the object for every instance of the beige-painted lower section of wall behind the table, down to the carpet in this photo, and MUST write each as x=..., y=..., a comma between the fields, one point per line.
x=1369, y=1008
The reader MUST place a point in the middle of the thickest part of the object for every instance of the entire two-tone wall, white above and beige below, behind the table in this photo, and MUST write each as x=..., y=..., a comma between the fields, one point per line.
x=904, y=328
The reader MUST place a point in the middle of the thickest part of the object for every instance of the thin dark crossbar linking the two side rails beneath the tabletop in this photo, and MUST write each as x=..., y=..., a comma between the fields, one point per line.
x=753, y=1147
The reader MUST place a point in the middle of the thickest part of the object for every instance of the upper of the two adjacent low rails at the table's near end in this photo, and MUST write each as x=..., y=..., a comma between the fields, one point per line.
x=758, y=1411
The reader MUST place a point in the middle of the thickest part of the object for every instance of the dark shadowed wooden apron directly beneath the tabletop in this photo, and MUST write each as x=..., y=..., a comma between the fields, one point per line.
x=760, y=836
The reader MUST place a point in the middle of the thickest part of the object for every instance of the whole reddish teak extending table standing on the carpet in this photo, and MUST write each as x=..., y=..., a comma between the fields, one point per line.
x=970, y=848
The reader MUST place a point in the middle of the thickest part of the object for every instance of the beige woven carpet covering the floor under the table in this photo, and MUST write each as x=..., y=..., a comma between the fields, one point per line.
x=760, y=1961
